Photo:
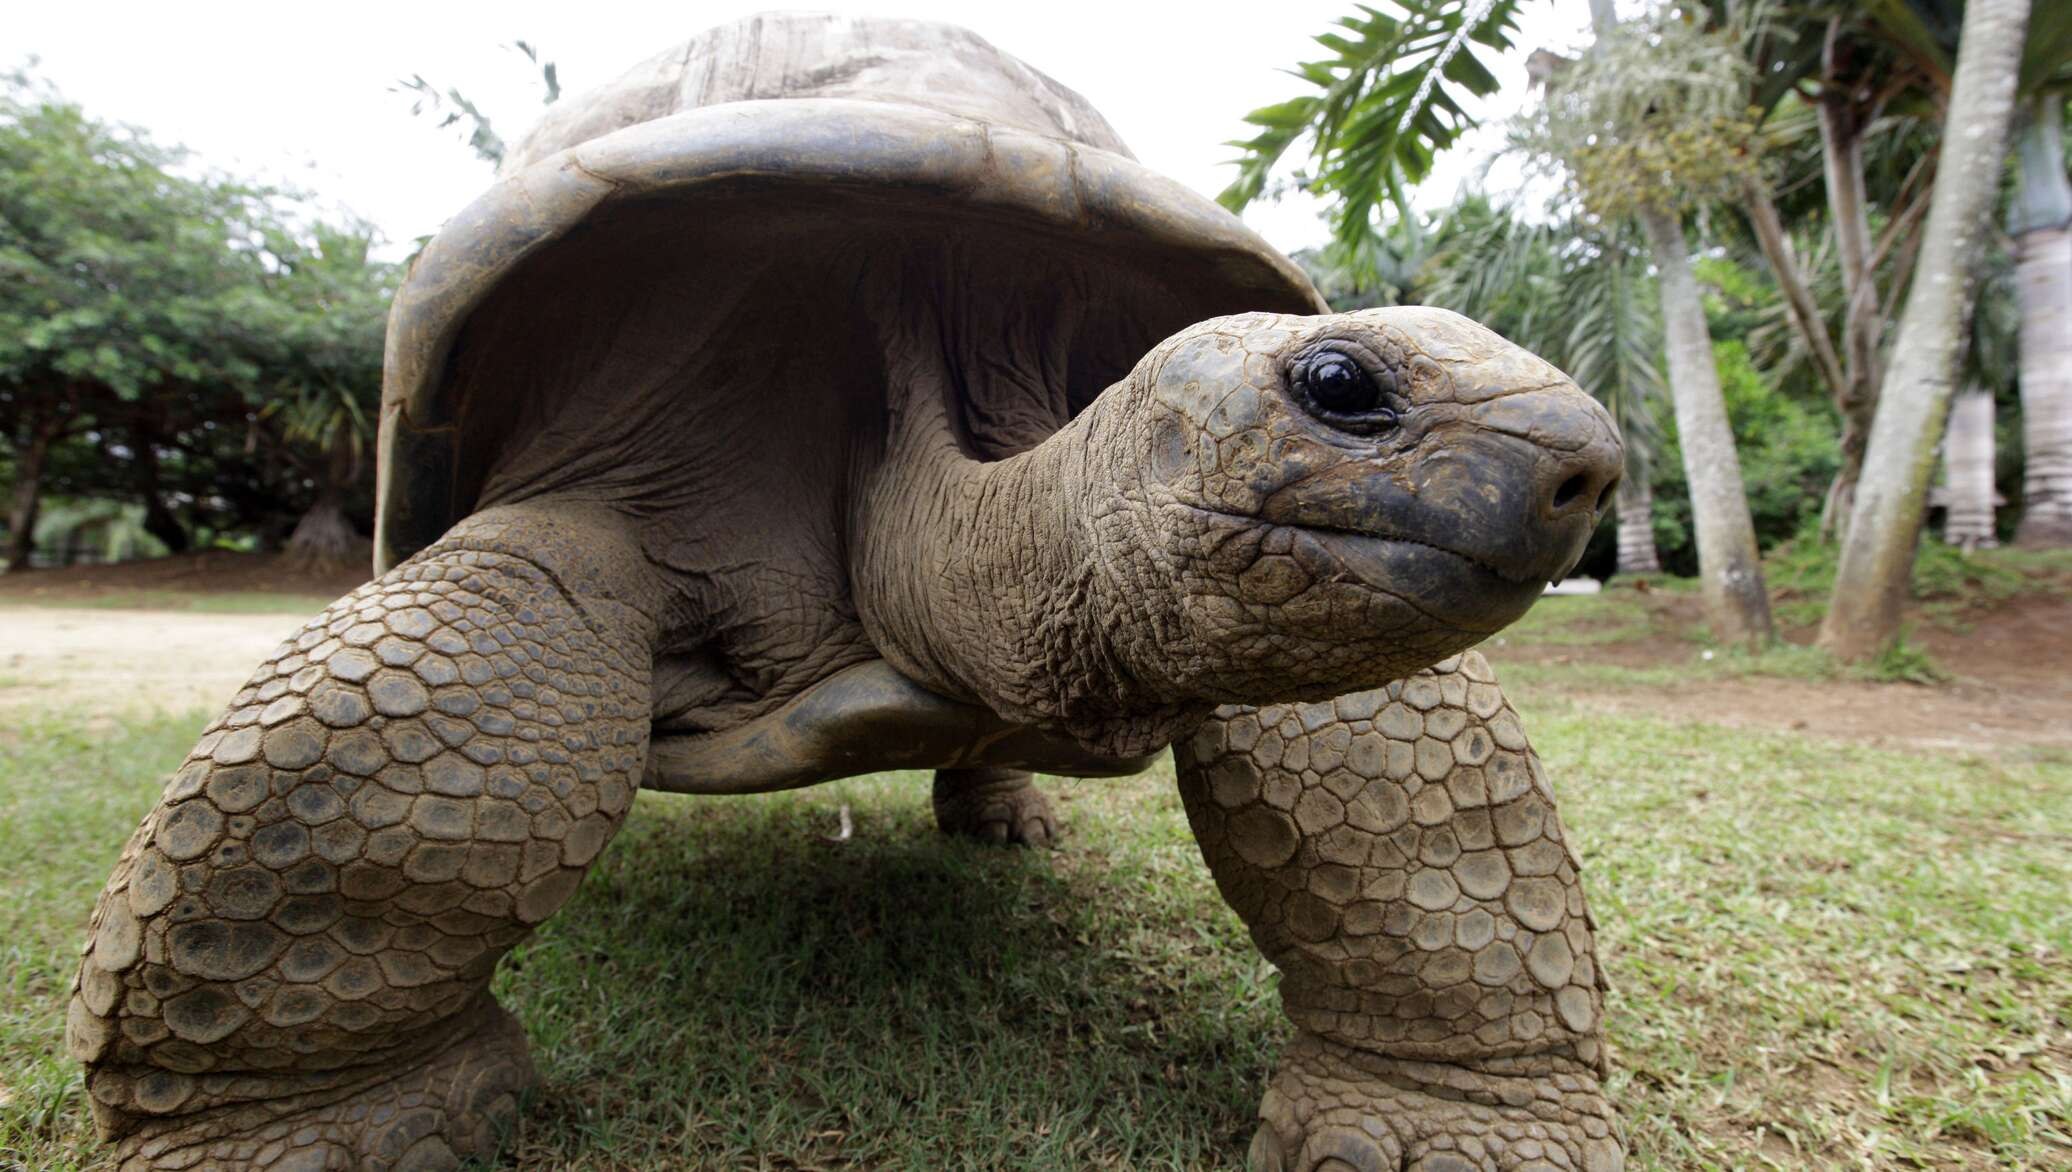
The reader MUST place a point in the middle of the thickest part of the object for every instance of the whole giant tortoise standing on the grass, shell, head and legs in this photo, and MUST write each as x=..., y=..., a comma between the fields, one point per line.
x=838, y=397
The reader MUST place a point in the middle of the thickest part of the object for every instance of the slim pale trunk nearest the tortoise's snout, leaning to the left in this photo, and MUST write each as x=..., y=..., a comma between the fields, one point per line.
x=1727, y=560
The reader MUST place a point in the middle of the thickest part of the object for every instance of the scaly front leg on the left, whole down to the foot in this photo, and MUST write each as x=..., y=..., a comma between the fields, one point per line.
x=291, y=962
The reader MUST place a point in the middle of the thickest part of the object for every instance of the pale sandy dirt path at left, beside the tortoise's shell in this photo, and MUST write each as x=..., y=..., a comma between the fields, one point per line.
x=127, y=664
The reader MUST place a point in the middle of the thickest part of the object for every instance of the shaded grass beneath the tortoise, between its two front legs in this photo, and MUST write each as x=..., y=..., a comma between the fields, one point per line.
x=735, y=991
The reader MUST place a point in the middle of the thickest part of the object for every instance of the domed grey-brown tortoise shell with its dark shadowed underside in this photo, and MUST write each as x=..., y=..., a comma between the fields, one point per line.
x=811, y=198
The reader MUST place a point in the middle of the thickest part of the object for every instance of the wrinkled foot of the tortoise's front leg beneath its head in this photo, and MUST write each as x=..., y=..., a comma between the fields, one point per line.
x=1333, y=1109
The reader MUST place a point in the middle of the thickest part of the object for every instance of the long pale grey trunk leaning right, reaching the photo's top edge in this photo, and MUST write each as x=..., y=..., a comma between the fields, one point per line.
x=1884, y=529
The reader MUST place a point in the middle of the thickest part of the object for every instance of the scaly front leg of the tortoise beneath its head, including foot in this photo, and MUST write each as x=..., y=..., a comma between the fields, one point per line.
x=1398, y=856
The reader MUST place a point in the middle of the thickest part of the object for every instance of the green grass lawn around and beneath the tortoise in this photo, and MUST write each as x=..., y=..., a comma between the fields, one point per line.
x=1820, y=958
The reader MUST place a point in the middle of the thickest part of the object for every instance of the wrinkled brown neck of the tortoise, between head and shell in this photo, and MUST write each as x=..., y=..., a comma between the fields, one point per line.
x=1020, y=583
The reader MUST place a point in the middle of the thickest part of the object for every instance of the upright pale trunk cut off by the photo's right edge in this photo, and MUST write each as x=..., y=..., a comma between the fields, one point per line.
x=2044, y=274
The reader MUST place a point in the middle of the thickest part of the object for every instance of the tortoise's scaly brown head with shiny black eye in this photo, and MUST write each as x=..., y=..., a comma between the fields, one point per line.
x=1335, y=502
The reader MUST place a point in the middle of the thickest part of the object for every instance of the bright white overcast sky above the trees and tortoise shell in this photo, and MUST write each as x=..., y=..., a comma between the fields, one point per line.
x=304, y=94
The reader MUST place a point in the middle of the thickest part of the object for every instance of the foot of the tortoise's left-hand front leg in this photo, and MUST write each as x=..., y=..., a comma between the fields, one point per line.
x=457, y=1105
